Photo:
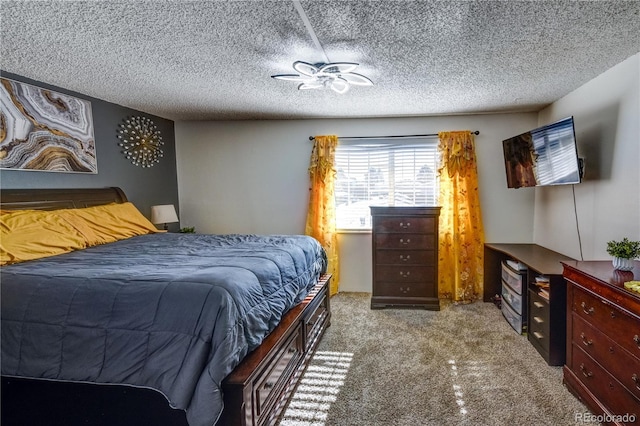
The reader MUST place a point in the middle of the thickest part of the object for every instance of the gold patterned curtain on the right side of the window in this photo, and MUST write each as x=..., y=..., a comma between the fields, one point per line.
x=461, y=243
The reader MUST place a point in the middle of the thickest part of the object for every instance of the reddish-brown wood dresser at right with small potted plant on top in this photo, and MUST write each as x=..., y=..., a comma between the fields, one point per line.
x=603, y=340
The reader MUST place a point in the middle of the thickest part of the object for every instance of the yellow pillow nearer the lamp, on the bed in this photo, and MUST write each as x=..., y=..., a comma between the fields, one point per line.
x=108, y=223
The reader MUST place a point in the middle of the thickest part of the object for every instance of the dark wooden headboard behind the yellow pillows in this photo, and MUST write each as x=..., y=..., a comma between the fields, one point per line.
x=52, y=199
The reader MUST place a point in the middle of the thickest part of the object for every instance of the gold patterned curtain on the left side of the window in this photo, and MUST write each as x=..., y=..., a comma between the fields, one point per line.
x=321, y=217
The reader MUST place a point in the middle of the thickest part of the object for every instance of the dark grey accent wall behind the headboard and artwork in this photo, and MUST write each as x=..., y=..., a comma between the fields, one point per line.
x=143, y=186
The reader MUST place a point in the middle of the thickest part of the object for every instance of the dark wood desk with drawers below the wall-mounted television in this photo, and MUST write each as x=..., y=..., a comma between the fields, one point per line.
x=546, y=300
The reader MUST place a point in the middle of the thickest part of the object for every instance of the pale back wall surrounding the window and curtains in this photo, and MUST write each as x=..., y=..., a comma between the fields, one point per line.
x=251, y=177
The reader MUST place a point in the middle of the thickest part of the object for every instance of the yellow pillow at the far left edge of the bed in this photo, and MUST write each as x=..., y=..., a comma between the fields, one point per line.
x=33, y=234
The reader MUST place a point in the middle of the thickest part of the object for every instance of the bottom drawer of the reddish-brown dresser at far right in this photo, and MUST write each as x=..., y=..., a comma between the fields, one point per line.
x=603, y=386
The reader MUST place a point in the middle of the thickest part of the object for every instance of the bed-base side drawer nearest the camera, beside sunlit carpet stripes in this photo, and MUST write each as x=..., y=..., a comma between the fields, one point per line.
x=277, y=372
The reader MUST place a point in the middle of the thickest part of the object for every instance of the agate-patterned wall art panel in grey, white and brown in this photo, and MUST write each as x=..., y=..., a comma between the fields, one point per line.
x=45, y=130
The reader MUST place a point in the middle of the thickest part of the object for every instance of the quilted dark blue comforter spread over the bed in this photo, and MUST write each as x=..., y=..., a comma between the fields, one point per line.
x=172, y=312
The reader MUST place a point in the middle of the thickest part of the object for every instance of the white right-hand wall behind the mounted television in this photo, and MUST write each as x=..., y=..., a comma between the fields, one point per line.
x=606, y=113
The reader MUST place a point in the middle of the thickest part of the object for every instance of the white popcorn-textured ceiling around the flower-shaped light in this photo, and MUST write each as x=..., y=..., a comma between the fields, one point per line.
x=208, y=60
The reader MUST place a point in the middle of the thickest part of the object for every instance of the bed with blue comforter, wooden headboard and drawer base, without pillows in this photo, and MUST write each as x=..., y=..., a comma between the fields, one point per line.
x=220, y=325
